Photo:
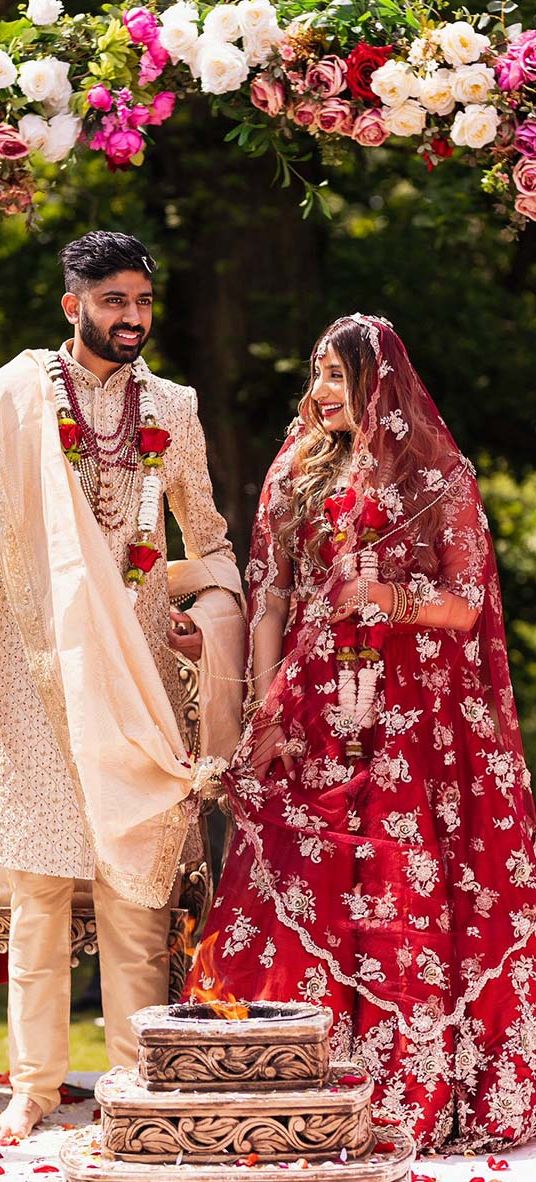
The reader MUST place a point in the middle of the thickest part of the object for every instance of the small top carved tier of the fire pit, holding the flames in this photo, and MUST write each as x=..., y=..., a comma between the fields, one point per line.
x=190, y=1047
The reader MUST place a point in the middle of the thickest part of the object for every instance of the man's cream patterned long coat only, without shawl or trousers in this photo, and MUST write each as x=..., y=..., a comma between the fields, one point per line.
x=42, y=828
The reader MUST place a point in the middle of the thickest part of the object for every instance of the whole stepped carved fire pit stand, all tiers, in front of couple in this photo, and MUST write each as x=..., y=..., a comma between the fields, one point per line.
x=222, y=1088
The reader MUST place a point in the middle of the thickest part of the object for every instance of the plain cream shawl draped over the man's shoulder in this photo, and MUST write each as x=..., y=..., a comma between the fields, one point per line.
x=88, y=654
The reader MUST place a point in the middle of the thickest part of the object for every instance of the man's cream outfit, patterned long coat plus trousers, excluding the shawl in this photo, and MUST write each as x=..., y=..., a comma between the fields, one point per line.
x=44, y=842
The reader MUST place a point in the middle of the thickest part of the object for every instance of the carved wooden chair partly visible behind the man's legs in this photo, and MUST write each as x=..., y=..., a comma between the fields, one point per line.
x=192, y=894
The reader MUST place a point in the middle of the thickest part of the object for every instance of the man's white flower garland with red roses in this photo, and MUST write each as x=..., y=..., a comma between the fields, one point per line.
x=151, y=443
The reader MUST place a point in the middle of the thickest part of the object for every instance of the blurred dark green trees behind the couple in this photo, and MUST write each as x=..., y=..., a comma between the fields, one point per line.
x=246, y=285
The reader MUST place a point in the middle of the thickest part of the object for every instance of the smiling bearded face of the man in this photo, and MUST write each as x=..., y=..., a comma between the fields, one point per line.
x=114, y=317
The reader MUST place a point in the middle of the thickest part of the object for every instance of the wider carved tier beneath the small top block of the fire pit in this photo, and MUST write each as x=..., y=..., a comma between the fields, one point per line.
x=212, y=1127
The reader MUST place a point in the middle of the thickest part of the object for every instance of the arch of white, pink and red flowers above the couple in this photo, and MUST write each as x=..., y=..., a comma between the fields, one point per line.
x=283, y=73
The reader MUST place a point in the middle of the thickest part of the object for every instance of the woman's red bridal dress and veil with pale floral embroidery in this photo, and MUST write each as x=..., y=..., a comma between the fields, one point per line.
x=398, y=887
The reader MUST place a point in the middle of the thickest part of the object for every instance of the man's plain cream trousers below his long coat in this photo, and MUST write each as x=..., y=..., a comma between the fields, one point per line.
x=133, y=944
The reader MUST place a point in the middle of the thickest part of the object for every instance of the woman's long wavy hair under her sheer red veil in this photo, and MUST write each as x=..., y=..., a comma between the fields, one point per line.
x=324, y=454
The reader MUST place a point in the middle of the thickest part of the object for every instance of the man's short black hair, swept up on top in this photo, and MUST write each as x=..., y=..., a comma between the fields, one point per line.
x=101, y=254
